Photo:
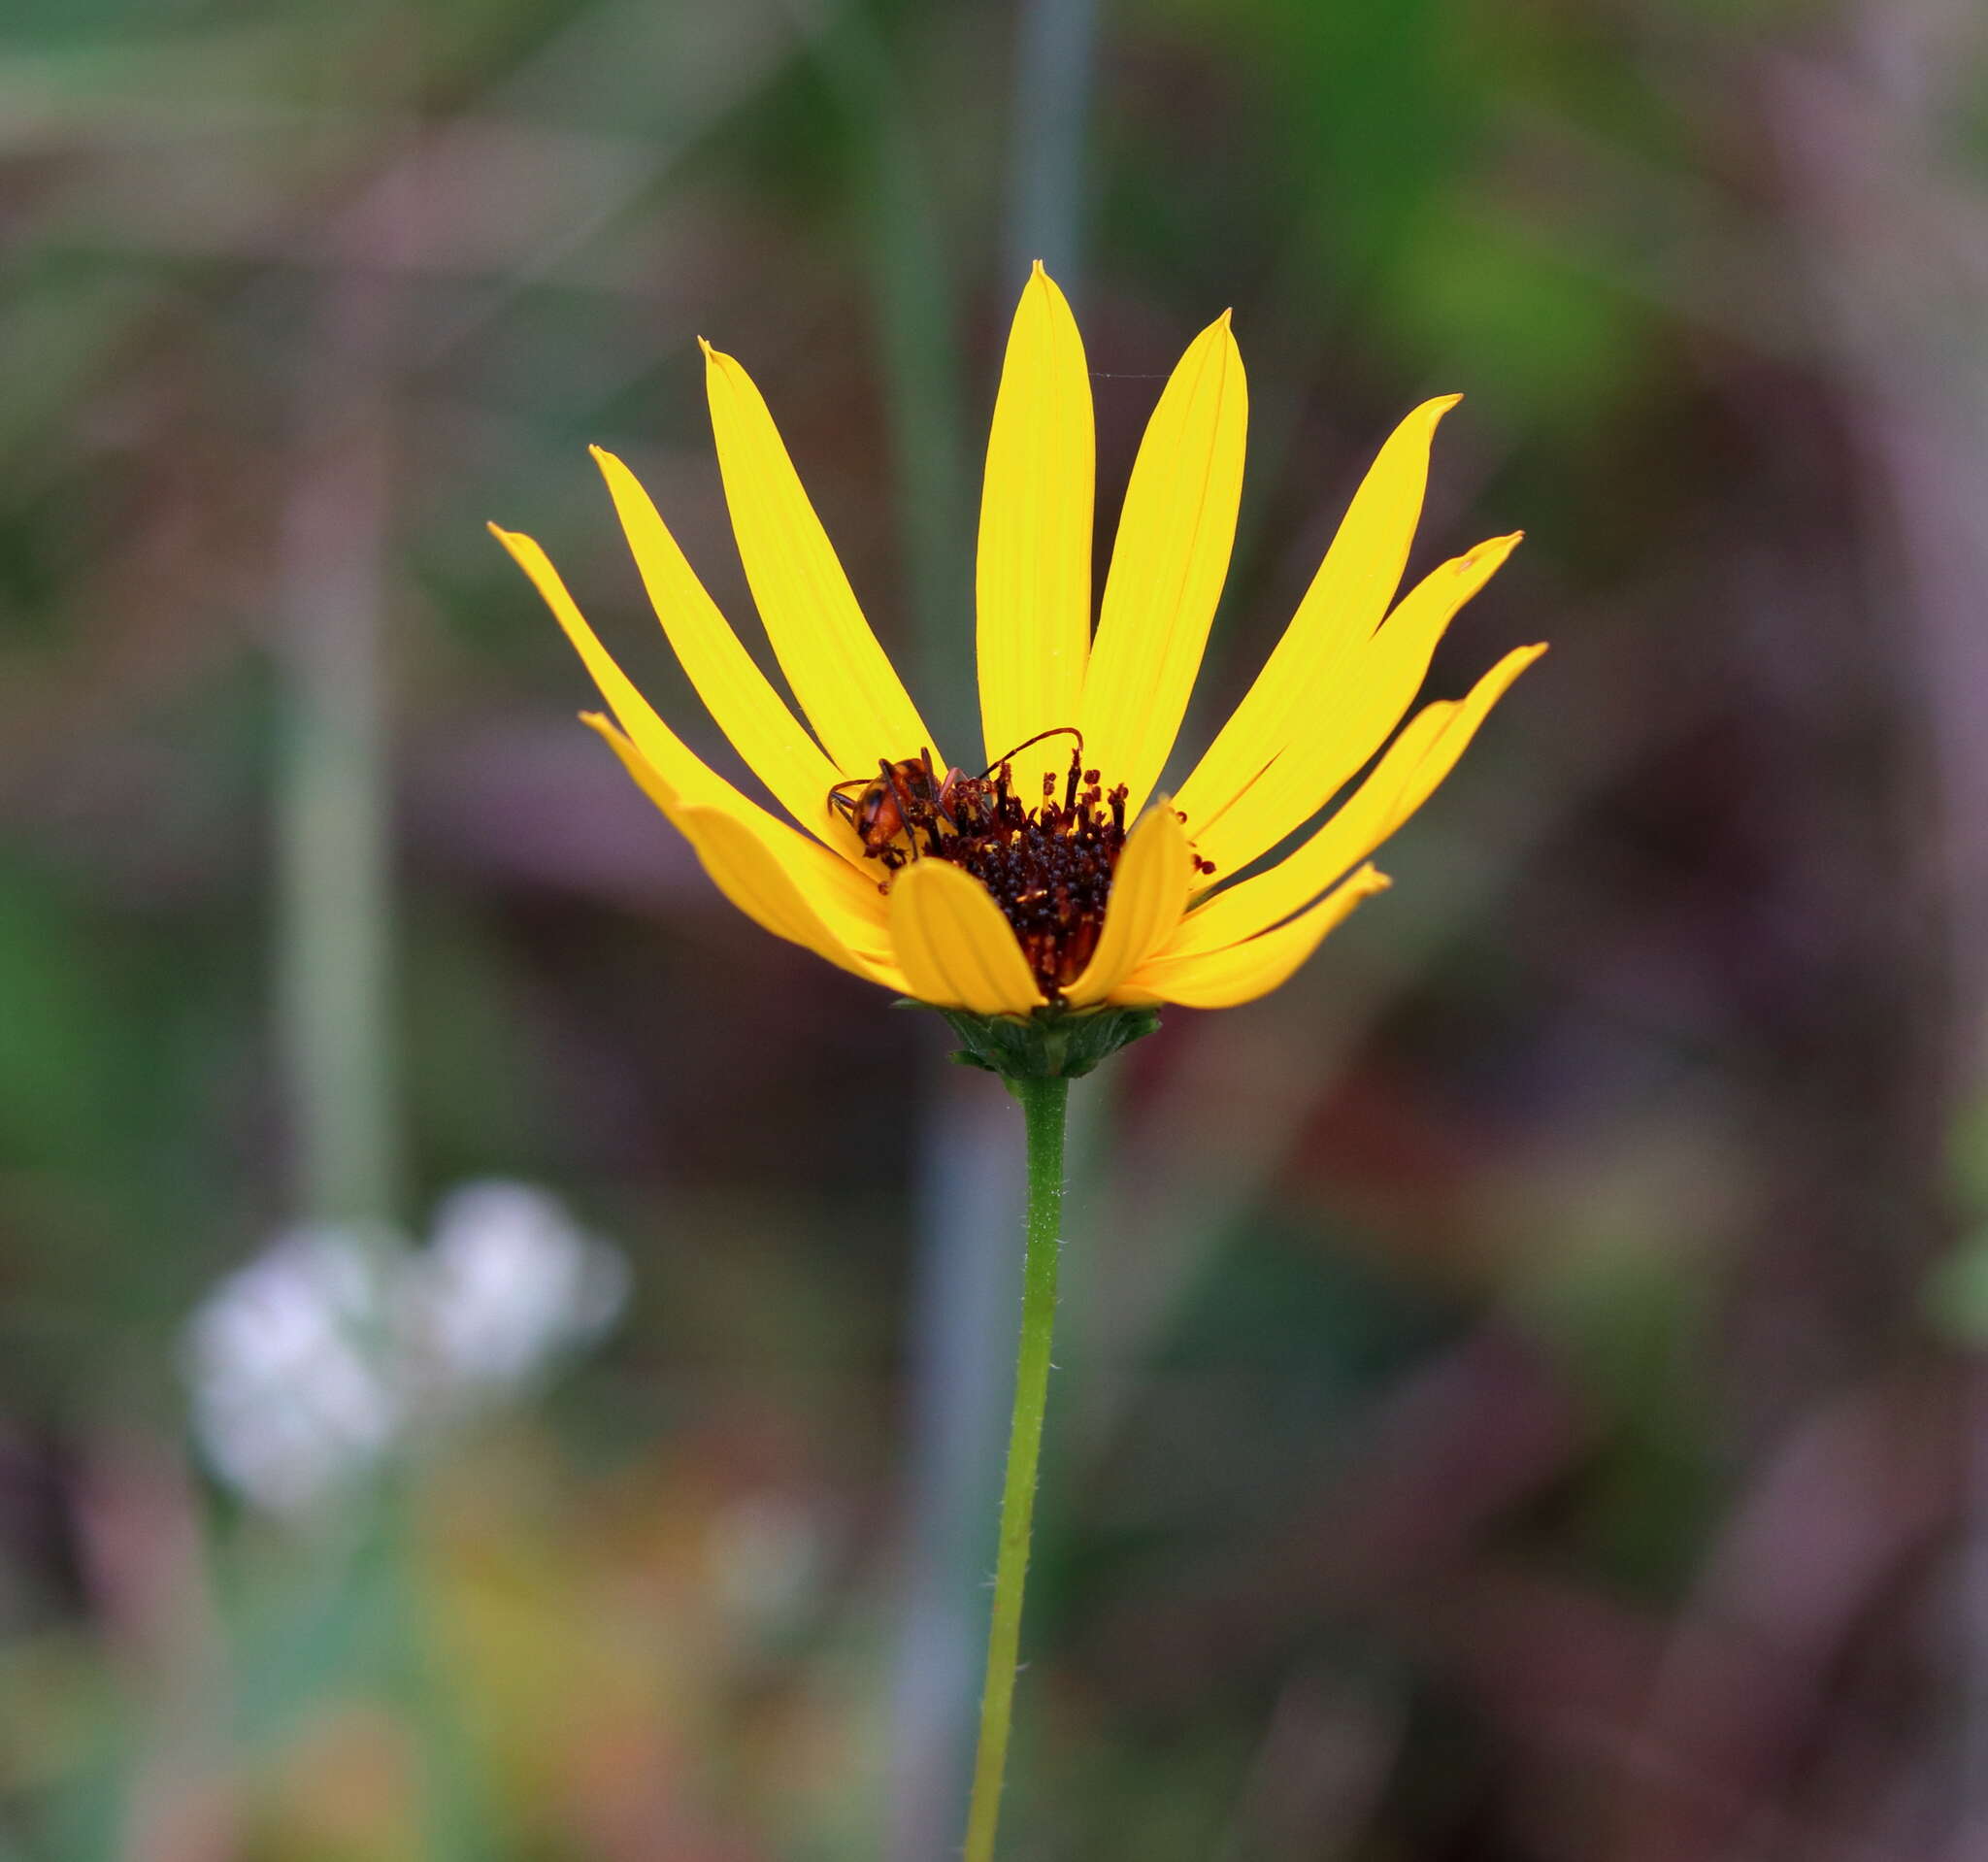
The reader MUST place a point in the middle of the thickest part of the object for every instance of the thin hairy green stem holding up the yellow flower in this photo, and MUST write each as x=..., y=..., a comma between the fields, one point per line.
x=1043, y=1112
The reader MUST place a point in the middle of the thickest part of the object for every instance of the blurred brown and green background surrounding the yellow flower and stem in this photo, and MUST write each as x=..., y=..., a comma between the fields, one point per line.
x=1518, y=1390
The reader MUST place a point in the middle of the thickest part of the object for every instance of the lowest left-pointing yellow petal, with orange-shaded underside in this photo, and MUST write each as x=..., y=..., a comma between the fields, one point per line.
x=772, y=875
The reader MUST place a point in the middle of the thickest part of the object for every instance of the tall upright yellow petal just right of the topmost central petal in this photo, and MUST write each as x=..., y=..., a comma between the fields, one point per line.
x=1168, y=567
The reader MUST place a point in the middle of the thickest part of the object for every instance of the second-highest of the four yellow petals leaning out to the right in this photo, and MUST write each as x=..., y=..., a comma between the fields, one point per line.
x=1375, y=693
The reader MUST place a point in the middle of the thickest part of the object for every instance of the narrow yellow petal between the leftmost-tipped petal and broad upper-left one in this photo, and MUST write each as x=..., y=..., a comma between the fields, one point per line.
x=739, y=697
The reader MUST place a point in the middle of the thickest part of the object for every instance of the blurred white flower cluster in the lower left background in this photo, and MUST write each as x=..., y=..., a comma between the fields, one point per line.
x=335, y=1346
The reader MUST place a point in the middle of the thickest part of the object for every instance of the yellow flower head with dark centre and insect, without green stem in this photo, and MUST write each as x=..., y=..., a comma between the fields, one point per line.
x=1025, y=887
